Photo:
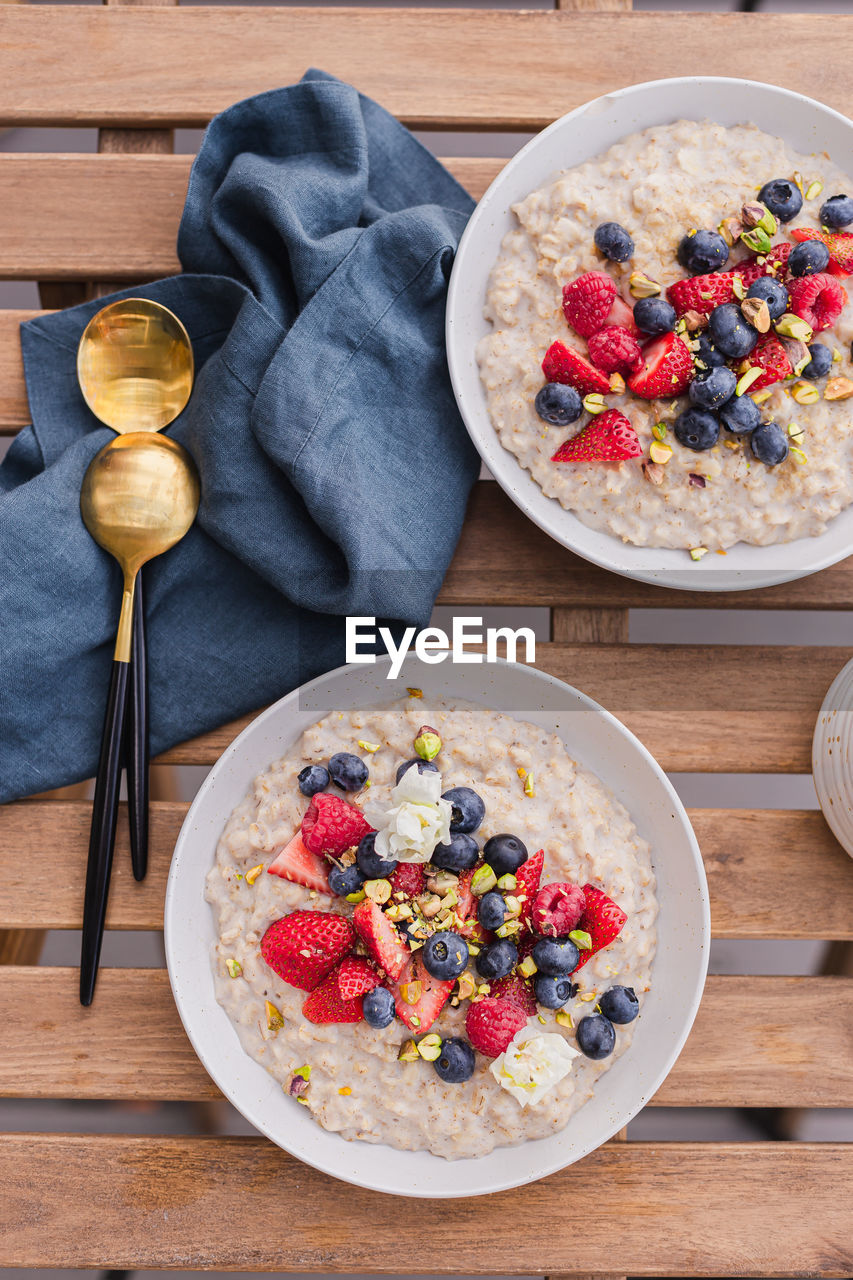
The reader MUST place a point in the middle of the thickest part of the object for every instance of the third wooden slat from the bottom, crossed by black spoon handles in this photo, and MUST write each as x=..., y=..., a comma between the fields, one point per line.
x=772, y=874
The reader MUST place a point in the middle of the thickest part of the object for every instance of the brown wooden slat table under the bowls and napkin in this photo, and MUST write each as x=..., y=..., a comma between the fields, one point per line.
x=79, y=223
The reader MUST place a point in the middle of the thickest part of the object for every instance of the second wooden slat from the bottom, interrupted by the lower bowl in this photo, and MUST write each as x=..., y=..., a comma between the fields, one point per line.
x=756, y=1043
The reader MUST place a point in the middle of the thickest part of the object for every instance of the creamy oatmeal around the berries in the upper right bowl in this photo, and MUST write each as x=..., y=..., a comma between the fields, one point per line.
x=658, y=185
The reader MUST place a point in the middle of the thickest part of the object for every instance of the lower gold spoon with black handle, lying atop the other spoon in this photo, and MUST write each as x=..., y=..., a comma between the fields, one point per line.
x=139, y=499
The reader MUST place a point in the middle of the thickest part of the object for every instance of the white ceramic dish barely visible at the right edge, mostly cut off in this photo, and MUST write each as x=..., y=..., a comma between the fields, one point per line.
x=833, y=758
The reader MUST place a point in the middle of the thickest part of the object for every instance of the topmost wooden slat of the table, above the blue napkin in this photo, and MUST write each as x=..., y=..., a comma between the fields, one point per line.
x=431, y=68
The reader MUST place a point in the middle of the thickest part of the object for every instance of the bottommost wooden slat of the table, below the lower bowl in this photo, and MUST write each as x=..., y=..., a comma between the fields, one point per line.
x=240, y=1204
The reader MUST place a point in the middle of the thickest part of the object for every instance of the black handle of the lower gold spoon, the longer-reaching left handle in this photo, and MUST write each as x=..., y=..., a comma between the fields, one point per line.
x=103, y=834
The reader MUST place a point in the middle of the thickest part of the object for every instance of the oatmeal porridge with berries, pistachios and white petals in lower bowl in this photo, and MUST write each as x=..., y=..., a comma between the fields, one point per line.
x=435, y=929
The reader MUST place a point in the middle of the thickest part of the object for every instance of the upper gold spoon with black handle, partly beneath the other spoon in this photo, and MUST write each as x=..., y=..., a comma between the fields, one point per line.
x=135, y=369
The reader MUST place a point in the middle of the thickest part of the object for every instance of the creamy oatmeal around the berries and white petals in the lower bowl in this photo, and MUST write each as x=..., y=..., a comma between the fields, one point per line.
x=359, y=1087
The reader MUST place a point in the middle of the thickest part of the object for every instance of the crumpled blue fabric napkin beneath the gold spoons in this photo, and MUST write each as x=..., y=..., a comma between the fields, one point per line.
x=317, y=243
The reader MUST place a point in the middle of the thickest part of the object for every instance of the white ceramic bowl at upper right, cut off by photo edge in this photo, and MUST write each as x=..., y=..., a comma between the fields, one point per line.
x=808, y=126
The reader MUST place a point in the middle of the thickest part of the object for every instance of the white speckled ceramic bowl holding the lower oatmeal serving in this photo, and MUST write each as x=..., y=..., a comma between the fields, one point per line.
x=595, y=738
